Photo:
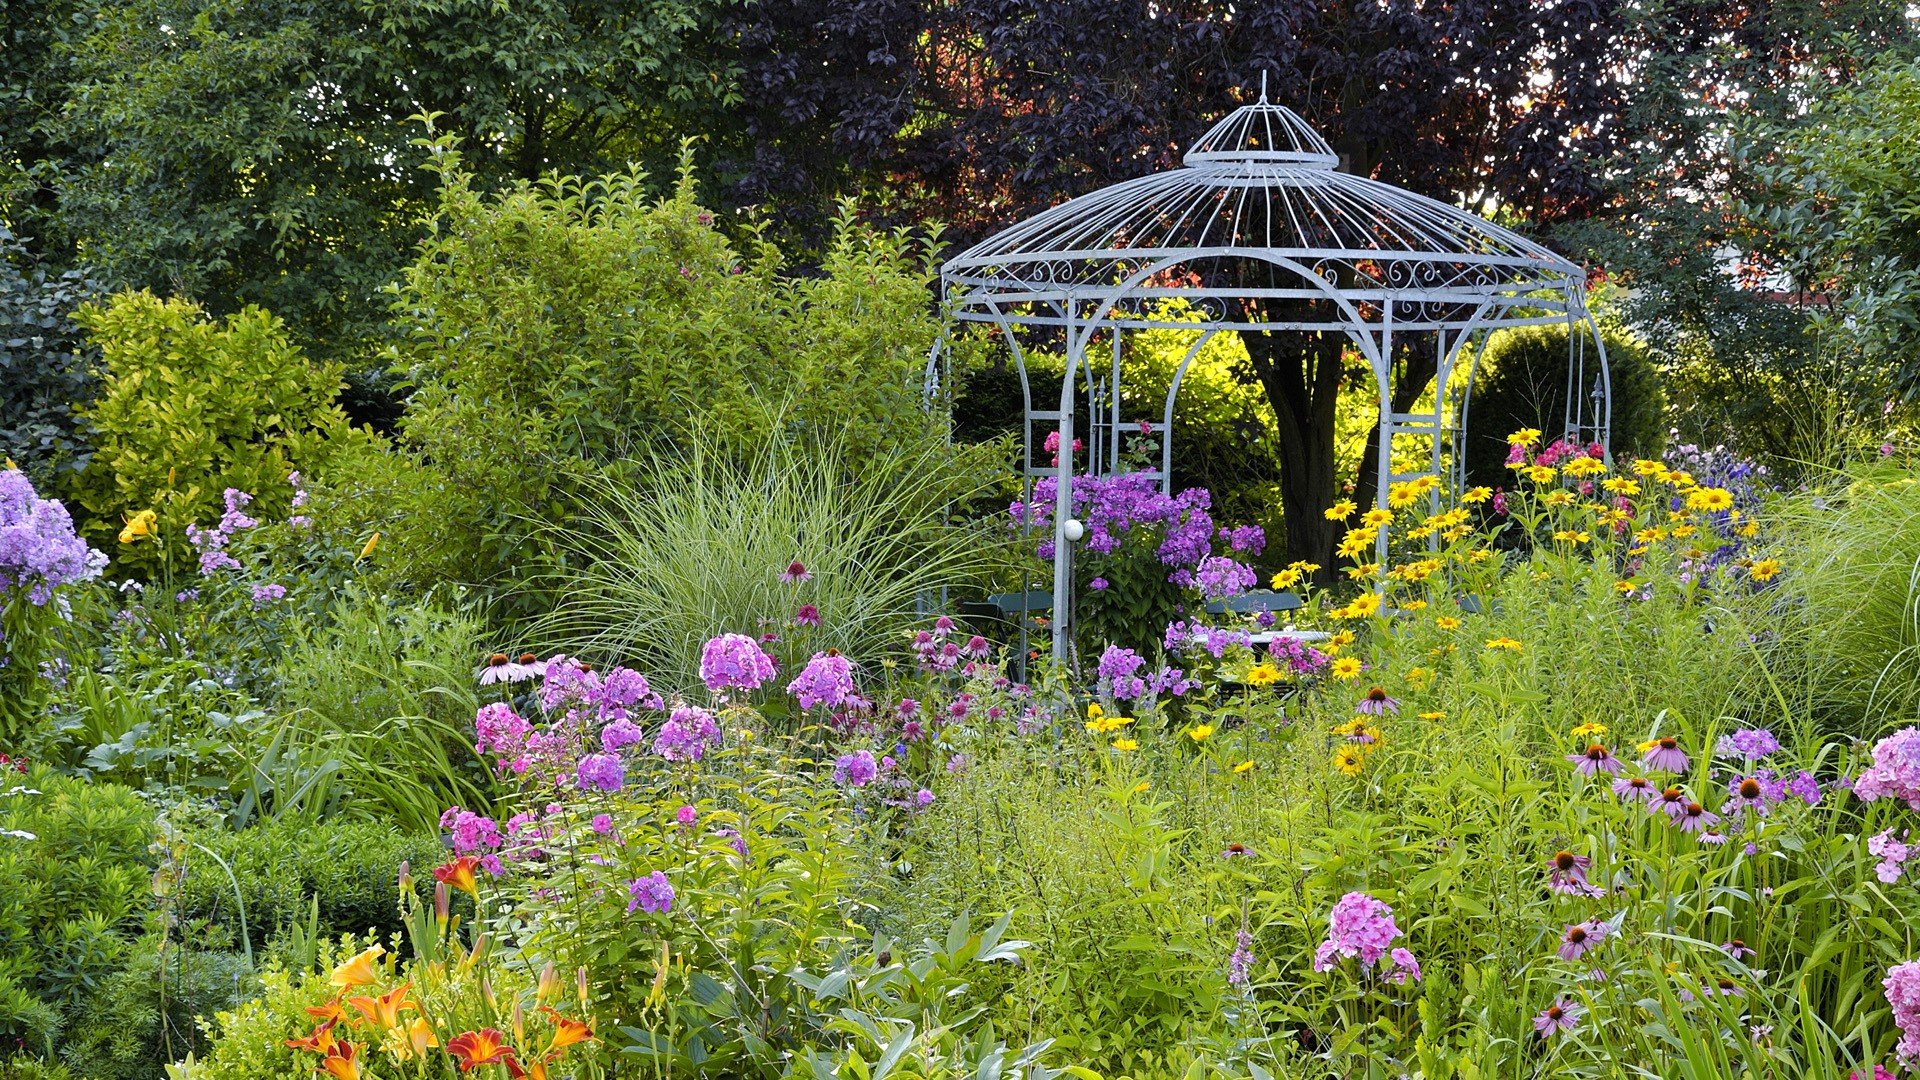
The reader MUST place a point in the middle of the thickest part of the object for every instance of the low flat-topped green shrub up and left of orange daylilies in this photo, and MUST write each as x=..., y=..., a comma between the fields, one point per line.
x=281, y=868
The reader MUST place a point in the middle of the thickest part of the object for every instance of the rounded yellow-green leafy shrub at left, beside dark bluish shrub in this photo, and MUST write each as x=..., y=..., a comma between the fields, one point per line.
x=191, y=408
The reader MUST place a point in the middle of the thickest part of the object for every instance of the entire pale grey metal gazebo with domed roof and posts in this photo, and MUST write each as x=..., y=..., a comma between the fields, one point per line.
x=1260, y=232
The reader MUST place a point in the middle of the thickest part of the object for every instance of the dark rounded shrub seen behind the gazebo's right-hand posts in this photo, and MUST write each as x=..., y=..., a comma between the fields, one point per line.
x=1522, y=383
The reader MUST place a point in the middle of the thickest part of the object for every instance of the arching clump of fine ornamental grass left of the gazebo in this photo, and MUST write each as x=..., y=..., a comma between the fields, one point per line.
x=715, y=535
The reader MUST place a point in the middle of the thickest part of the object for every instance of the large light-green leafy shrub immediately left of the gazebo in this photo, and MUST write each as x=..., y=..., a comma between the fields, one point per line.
x=565, y=326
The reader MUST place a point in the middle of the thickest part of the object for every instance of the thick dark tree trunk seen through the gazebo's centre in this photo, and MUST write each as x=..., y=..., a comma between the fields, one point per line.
x=1301, y=376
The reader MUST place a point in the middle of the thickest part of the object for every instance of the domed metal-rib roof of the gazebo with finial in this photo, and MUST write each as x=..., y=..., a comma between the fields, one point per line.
x=1260, y=185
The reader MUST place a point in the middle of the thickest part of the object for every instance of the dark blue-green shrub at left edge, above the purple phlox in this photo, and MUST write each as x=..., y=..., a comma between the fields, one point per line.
x=45, y=364
